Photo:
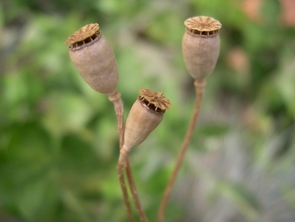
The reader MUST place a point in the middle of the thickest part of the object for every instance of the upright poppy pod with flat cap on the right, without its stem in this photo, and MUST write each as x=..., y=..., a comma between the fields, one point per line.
x=200, y=45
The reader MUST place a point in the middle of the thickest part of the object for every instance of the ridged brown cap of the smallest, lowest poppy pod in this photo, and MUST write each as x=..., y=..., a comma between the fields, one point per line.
x=154, y=100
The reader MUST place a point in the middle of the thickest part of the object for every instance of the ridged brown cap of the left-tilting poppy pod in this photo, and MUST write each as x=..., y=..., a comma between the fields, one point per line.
x=85, y=35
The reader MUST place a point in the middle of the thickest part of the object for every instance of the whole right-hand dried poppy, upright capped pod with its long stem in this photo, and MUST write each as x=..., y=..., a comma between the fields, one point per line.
x=200, y=48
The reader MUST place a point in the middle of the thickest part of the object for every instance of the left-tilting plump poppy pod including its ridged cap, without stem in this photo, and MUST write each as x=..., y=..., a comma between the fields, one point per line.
x=94, y=59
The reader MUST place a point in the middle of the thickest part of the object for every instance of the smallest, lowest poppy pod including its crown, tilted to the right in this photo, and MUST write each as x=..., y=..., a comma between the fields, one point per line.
x=145, y=115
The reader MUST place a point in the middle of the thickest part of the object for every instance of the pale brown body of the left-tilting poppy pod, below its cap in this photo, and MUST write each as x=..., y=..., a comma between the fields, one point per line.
x=96, y=64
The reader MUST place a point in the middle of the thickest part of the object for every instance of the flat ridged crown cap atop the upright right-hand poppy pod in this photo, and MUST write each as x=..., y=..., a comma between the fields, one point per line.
x=202, y=25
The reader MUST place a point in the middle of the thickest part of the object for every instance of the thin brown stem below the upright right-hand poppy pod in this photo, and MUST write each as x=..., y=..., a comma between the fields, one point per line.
x=199, y=87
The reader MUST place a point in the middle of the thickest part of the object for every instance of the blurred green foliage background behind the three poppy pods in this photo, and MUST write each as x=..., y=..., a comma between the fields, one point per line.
x=58, y=137
